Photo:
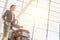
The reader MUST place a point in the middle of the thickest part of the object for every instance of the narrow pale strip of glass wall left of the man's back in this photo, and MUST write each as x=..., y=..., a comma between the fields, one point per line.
x=2, y=6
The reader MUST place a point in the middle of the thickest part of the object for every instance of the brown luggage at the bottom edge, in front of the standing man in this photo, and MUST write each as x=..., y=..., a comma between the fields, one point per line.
x=21, y=34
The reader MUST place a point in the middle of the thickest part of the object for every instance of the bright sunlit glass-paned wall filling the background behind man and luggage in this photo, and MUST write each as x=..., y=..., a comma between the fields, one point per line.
x=40, y=17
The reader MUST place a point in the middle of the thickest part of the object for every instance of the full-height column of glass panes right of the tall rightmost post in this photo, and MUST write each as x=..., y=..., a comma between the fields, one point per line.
x=53, y=33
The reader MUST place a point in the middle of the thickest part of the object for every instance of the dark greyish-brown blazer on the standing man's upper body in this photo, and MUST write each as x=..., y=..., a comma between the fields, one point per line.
x=7, y=16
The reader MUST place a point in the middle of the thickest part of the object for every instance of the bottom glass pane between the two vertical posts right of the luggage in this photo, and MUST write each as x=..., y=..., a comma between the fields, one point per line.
x=39, y=34
